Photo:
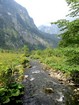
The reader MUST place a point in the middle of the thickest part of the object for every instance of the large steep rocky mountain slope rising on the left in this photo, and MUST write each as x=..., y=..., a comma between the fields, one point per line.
x=18, y=29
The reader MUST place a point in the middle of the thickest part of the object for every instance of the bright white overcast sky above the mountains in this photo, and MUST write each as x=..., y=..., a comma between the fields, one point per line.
x=45, y=11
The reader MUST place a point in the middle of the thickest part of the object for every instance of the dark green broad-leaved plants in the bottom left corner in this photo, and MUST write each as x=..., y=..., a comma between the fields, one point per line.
x=9, y=93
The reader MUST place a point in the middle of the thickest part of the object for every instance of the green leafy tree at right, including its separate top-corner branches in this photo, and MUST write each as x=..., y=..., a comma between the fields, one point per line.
x=70, y=30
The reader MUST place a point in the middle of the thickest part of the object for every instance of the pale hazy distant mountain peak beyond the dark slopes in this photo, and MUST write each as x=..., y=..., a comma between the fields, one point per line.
x=52, y=29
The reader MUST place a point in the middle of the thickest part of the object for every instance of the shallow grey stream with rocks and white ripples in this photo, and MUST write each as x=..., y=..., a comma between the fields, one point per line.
x=41, y=89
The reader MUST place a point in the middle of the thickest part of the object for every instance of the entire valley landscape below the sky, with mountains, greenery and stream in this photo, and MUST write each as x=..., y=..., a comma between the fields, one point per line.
x=38, y=65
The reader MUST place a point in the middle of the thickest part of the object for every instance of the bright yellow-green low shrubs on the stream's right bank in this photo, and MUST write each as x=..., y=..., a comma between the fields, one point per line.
x=59, y=59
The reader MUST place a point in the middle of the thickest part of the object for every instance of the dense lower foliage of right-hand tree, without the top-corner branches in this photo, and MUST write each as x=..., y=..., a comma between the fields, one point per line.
x=70, y=33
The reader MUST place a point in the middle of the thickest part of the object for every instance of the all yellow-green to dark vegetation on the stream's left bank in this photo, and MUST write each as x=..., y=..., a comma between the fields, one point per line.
x=11, y=76
